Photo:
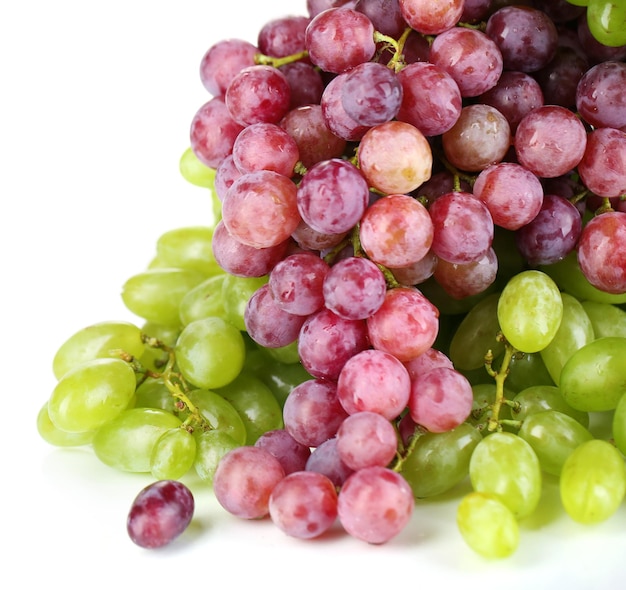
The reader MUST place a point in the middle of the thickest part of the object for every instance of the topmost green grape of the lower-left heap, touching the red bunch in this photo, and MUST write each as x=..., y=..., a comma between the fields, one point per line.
x=189, y=248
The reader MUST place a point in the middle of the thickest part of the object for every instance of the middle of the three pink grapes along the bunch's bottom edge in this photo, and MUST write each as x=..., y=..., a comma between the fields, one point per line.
x=304, y=504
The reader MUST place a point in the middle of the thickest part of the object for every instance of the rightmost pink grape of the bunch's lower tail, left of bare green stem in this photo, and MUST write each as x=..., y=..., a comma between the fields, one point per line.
x=441, y=399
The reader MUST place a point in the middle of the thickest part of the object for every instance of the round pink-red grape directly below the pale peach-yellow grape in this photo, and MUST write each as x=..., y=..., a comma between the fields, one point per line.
x=396, y=231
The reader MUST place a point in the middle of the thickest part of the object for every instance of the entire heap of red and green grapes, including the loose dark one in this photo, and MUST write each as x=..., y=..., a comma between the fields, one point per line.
x=414, y=278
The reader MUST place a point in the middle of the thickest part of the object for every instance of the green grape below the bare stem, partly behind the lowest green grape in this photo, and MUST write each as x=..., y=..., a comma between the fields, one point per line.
x=505, y=465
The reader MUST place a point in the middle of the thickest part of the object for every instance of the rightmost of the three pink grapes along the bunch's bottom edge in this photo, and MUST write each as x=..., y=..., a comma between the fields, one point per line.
x=375, y=504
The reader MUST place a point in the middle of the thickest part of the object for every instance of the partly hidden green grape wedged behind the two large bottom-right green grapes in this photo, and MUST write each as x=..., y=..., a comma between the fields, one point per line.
x=553, y=436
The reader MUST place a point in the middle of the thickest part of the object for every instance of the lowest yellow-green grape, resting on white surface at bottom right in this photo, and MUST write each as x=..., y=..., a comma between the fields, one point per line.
x=487, y=525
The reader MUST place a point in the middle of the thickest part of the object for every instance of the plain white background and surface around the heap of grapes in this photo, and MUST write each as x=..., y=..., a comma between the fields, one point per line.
x=96, y=102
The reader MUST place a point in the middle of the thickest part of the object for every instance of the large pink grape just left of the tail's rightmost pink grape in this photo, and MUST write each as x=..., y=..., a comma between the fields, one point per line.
x=374, y=381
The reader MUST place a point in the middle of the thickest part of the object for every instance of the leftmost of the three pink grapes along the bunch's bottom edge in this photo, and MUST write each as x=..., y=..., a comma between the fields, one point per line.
x=244, y=480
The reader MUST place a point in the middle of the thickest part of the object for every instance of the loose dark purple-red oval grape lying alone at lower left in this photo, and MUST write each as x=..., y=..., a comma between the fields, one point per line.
x=160, y=513
